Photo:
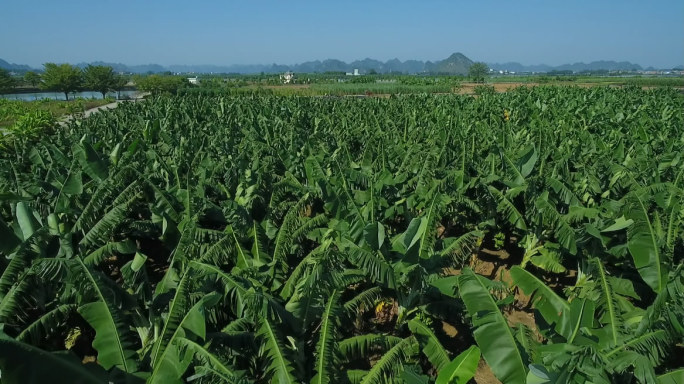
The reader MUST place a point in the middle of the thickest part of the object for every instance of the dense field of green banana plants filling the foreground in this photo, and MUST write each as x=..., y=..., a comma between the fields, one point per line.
x=264, y=239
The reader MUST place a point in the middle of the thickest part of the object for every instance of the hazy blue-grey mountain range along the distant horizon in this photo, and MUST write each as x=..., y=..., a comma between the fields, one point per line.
x=456, y=64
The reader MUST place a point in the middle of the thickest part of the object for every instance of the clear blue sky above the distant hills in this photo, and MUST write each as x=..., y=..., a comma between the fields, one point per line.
x=646, y=32
